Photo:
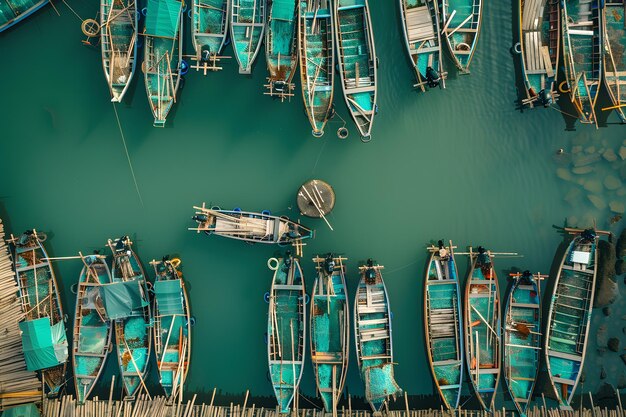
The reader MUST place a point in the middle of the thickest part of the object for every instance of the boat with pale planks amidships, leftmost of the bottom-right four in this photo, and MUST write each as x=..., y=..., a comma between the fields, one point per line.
x=442, y=322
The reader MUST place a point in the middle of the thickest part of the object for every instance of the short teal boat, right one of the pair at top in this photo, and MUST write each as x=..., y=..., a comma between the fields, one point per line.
x=461, y=26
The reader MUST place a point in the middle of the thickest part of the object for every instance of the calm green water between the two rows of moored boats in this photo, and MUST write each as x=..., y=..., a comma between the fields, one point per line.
x=463, y=163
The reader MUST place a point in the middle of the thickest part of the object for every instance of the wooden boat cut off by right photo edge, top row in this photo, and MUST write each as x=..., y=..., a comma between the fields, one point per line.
x=614, y=57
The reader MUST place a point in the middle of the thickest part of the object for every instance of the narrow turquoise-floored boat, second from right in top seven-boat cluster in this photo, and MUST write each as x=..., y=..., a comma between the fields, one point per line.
x=316, y=45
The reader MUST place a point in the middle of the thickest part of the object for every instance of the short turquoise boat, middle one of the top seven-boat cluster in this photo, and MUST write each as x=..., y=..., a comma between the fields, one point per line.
x=247, y=24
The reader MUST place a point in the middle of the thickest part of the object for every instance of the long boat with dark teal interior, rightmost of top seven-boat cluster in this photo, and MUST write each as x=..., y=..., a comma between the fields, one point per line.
x=358, y=64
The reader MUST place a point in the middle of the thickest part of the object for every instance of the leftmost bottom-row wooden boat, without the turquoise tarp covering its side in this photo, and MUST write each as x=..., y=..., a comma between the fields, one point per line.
x=39, y=295
